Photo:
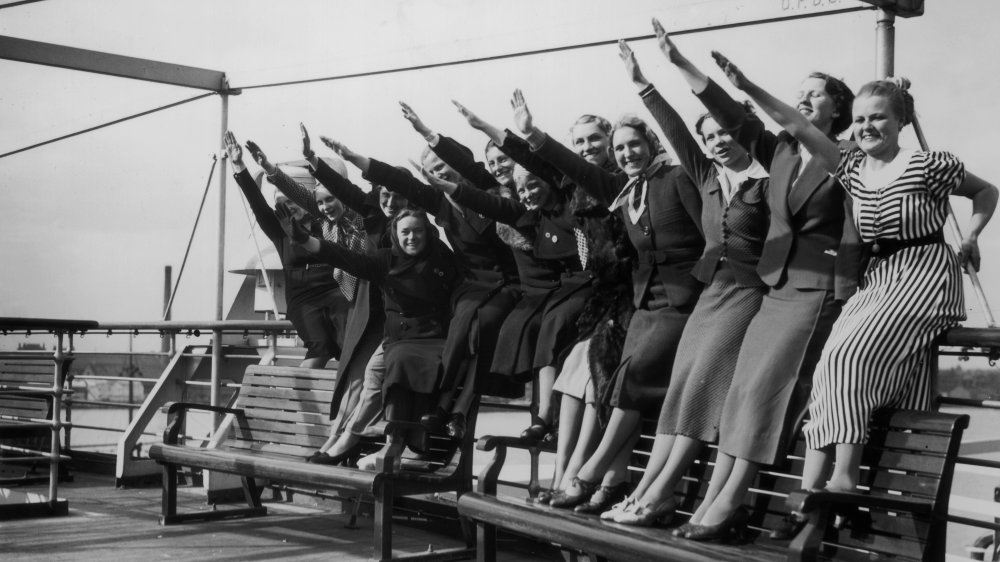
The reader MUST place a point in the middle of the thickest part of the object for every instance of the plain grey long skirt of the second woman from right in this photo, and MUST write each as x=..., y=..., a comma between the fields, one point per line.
x=770, y=390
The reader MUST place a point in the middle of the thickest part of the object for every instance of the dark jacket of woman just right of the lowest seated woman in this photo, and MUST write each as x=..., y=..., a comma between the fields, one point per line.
x=472, y=235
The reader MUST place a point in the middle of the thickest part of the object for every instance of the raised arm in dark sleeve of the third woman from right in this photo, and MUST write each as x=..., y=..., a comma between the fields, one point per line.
x=689, y=152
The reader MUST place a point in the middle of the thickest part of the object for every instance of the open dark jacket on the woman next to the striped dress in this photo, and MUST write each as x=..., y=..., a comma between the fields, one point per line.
x=812, y=242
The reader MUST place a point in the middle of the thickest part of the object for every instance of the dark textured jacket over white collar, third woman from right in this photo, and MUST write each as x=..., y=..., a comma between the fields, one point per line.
x=734, y=232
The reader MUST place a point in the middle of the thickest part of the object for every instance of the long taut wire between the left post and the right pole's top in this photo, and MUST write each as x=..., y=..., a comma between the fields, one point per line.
x=549, y=50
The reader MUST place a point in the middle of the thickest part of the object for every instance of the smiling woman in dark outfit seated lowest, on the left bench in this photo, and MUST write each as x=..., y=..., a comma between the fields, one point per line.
x=418, y=276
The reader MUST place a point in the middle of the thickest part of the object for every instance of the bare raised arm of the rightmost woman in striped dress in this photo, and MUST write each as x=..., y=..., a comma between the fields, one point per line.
x=824, y=150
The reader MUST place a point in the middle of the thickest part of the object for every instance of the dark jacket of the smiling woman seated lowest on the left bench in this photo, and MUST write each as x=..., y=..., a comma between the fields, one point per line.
x=417, y=291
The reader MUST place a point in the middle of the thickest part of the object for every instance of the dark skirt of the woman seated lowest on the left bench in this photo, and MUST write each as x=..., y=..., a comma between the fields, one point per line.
x=413, y=364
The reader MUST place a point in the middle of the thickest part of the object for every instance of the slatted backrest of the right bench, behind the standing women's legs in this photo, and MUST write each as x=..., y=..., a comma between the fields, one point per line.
x=909, y=454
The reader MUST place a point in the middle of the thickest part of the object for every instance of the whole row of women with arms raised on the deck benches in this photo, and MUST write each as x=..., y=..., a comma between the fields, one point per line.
x=761, y=280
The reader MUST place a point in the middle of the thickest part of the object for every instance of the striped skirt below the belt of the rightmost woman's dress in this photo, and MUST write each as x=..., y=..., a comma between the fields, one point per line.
x=880, y=350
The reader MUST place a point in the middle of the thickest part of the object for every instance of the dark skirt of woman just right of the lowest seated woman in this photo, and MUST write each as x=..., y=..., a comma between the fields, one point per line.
x=481, y=307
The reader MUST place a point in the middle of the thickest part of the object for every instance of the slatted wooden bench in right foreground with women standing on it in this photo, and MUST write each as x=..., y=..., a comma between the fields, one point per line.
x=906, y=472
